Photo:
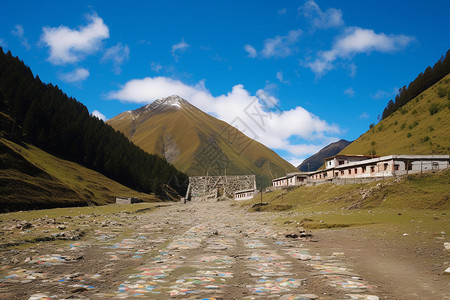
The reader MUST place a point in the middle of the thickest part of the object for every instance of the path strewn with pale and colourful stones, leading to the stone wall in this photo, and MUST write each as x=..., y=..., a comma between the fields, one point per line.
x=191, y=251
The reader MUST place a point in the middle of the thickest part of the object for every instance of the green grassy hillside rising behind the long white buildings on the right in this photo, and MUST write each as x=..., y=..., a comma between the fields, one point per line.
x=411, y=129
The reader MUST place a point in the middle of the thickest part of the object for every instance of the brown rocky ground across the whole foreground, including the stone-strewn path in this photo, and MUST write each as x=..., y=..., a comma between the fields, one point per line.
x=195, y=251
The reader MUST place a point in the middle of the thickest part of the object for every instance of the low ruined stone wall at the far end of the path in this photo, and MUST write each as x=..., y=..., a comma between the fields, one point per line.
x=213, y=187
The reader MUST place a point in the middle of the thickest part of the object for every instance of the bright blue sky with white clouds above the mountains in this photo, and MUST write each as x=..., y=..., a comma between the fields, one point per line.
x=320, y=70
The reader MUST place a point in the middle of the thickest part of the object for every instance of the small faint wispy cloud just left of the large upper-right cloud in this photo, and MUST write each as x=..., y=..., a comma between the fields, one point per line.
x=281, y=46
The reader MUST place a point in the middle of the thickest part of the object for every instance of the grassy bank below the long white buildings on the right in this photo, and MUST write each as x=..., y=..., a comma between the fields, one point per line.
x=328, y=205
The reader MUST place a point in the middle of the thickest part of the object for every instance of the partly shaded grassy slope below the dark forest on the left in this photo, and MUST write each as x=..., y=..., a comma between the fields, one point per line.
x=32, y=178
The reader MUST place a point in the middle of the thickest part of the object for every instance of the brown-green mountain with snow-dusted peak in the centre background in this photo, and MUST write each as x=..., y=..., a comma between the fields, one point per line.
x=197, y=143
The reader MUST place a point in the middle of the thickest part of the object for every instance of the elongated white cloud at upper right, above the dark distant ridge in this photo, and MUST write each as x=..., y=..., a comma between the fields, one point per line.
x=357, y=40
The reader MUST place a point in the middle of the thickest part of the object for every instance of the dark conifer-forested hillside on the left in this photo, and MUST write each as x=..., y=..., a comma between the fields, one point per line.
x=62, y=126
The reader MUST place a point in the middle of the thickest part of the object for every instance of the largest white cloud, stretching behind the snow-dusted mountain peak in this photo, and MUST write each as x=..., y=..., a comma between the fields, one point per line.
x=258, y=116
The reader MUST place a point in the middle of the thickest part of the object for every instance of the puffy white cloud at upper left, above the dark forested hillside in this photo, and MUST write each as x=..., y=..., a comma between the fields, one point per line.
x=71, y=45
